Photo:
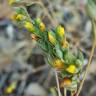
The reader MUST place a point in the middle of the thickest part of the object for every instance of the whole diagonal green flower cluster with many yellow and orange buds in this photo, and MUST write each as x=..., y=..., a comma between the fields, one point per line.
x=55, y=47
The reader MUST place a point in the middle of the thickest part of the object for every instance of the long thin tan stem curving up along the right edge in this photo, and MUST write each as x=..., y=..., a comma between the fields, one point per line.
x=87, y=68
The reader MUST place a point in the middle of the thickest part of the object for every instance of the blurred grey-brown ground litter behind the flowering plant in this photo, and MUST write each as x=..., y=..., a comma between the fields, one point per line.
x=23, y=68
